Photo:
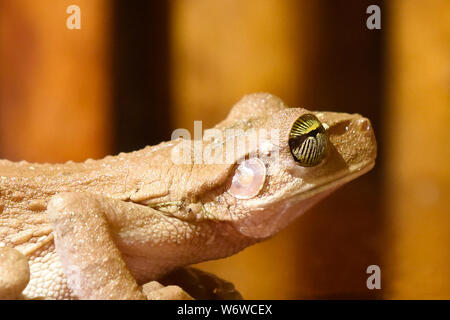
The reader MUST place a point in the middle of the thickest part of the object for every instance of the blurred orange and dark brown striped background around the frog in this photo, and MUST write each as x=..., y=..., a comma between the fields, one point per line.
x=137, y=70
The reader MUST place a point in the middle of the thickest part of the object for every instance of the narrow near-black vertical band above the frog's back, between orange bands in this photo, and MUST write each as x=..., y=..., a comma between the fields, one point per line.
x=141, y=73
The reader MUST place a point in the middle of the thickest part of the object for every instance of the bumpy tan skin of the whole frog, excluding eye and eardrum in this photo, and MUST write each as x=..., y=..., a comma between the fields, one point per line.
x=102, y=228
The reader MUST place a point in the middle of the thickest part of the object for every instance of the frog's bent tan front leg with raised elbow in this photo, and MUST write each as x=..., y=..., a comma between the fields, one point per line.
x=87, y=228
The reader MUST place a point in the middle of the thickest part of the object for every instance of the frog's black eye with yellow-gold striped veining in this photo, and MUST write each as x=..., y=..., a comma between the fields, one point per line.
x=308, y=140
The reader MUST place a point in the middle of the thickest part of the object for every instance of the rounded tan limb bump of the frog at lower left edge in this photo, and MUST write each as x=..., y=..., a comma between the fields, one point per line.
x=14, y=273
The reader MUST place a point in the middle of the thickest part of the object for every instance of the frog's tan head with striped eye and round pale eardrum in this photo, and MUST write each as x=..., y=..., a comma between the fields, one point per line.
x=307, y=156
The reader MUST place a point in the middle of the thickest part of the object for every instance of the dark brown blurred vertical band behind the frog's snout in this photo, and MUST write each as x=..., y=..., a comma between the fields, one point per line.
x=345, y=234
